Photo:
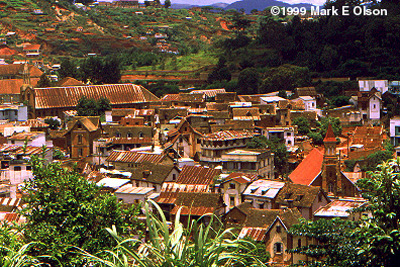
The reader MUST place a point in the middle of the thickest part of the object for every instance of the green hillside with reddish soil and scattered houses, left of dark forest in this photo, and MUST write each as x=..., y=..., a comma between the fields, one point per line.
x=64, y=30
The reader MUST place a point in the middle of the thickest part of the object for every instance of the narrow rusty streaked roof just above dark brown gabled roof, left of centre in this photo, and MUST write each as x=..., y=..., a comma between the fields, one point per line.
x=134, y=157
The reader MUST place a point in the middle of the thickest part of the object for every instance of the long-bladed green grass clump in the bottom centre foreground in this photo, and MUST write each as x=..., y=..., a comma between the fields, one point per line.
x=197, y=245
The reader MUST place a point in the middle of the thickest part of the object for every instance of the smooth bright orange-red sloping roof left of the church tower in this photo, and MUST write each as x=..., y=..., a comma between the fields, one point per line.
x=308, y=169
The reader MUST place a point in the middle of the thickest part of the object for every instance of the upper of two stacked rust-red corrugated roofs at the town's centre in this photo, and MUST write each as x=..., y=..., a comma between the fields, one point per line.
x=197, y=175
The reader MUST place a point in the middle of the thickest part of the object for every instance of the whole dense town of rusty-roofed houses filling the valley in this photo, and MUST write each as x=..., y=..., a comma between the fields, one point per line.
x=189, y=151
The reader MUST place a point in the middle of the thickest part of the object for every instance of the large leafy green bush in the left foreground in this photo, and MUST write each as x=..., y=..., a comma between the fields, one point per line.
x=65, y=210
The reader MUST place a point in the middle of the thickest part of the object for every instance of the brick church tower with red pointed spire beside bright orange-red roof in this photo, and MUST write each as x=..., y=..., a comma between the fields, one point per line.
x=331, y=177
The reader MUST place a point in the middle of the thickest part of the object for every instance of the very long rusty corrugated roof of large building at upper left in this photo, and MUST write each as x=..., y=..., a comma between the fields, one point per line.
x=69, y=96
